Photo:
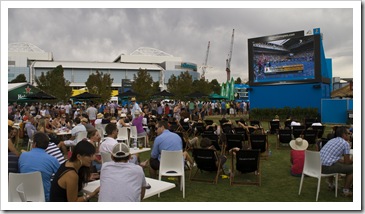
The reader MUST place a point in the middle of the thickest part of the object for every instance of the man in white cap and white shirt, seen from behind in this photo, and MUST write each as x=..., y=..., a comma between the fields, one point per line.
x=121, y=181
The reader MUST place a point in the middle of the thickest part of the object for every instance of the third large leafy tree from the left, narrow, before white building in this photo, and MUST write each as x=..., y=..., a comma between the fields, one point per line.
x=143, y=85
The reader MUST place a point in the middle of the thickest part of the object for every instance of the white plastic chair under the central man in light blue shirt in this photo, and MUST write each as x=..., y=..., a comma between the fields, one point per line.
x=172, y=164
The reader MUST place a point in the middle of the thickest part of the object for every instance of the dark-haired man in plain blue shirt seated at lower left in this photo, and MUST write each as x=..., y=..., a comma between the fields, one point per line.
x=38, y=160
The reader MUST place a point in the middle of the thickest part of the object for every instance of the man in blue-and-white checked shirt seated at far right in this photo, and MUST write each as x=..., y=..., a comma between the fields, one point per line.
x=332, y=162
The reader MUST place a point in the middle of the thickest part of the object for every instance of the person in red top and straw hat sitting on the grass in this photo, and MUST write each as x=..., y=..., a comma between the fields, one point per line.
x=297, y=155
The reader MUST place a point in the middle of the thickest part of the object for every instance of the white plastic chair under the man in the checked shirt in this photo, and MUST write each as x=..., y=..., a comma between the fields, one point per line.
x=313, y=168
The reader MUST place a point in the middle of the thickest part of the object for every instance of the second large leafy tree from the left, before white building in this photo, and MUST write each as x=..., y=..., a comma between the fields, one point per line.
x=101, y=84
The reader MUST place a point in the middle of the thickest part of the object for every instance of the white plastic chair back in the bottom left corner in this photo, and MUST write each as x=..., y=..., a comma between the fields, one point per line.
x=32, y=187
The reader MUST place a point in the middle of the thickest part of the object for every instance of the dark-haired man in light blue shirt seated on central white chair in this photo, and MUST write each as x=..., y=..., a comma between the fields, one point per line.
x=165, y=140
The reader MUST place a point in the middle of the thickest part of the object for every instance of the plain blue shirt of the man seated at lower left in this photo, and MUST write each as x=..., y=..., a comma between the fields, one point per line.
x=38, y=160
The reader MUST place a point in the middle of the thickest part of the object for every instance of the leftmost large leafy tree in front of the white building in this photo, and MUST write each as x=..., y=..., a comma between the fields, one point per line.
x=54, y=83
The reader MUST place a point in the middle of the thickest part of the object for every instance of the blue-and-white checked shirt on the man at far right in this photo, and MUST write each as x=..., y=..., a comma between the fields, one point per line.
x=334, y=150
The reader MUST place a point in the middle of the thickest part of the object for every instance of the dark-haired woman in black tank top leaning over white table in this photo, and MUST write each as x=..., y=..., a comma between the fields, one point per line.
x=73, y=174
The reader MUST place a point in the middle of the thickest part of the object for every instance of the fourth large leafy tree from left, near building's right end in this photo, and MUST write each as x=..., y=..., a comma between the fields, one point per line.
x=181, y=85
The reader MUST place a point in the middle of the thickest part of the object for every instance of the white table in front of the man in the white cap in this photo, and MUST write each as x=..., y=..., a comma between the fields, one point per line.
x=157, y=187
